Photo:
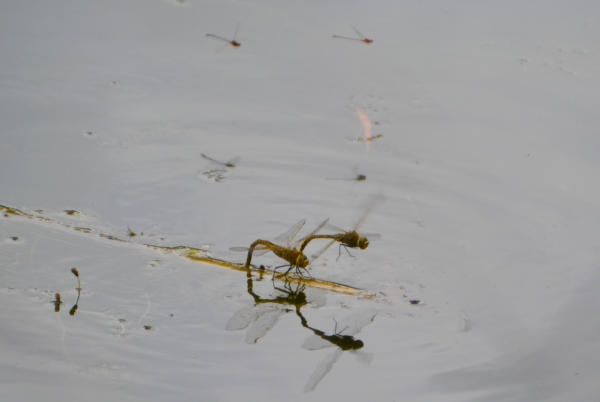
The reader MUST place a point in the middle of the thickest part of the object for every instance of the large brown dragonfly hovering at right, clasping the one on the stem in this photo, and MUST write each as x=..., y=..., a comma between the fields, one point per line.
x=350, y=238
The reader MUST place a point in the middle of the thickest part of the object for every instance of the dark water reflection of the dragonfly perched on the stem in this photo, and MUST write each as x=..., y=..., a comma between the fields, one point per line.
x=266, y=312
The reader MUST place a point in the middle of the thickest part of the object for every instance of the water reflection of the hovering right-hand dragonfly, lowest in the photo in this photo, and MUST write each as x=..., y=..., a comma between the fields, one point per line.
x=344, y=340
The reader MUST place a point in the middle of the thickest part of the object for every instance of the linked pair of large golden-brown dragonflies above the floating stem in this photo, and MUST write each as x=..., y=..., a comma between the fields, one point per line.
x=285, y=248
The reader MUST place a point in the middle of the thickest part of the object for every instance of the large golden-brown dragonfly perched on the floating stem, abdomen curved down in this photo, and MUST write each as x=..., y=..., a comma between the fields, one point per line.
x=283, y=246
